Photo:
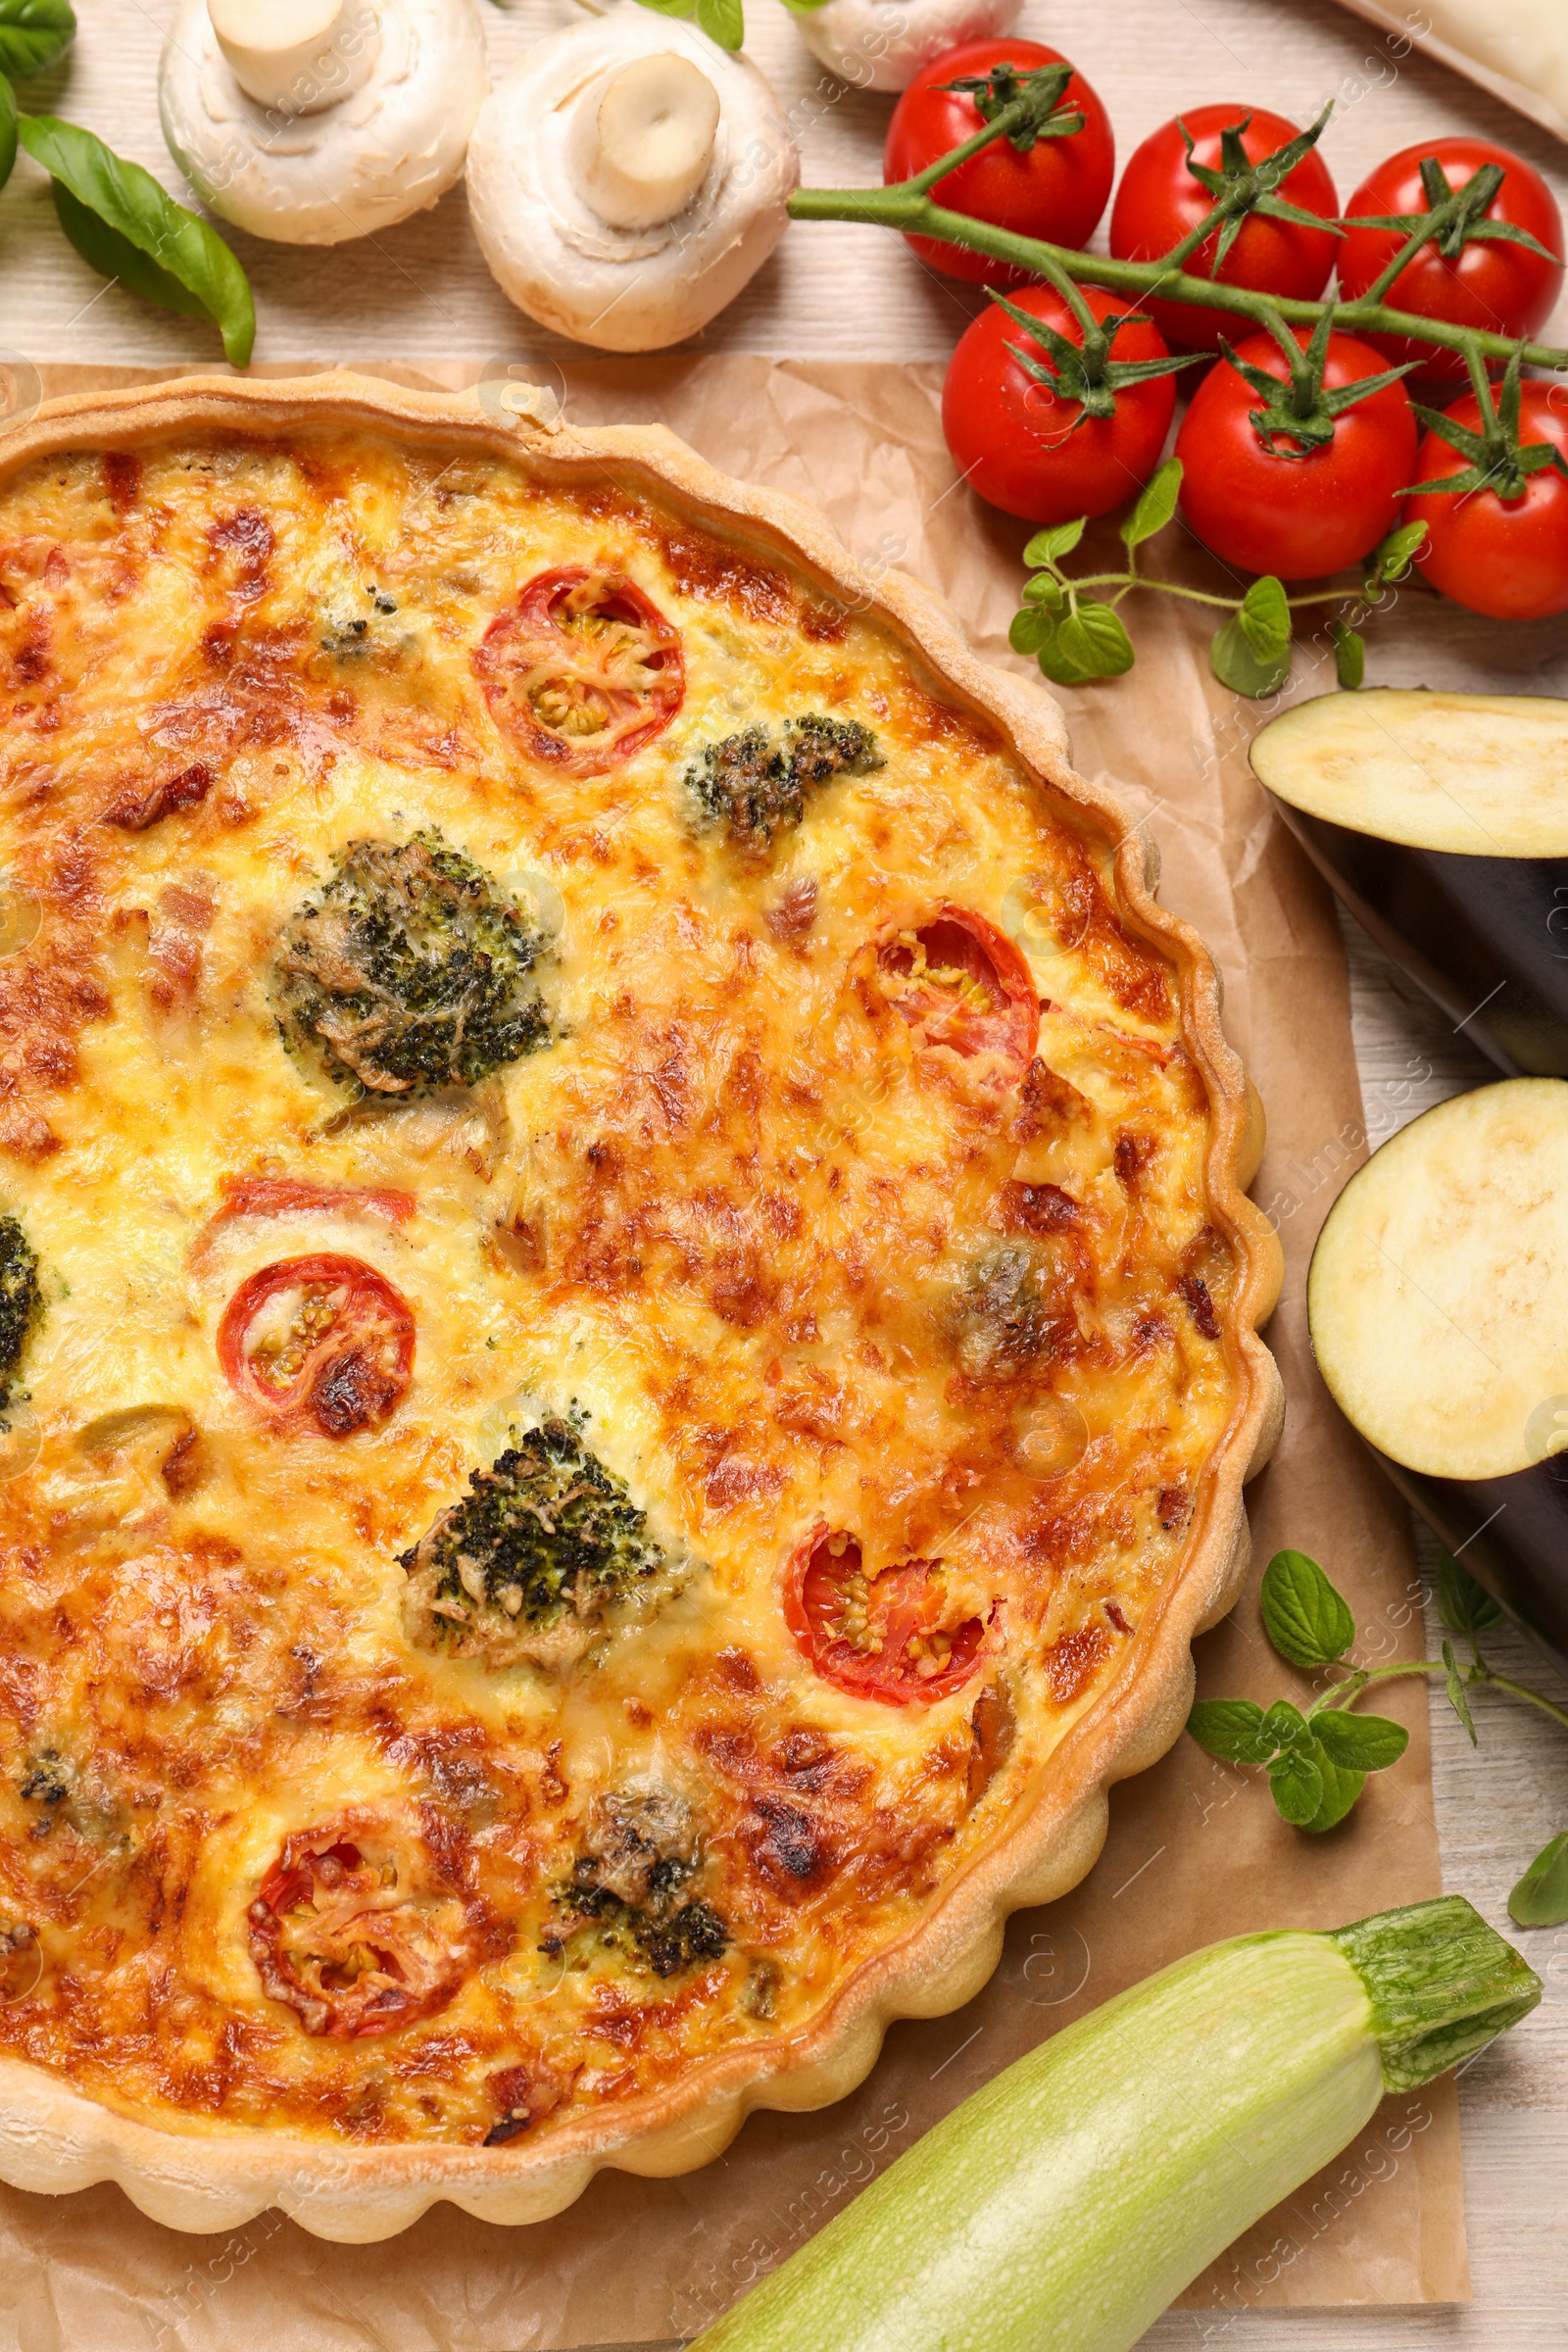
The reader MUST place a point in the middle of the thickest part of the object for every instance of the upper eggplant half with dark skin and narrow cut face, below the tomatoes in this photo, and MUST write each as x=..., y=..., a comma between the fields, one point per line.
x=1442, y=822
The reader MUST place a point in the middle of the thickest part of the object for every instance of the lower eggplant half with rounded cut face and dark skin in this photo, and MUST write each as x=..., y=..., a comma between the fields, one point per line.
x=1440, y=1321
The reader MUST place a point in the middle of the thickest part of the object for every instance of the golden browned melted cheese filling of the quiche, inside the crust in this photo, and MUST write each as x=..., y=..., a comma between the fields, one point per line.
x=796, y=1267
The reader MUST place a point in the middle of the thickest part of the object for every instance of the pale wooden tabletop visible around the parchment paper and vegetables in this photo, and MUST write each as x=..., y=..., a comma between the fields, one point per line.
x=422, y=293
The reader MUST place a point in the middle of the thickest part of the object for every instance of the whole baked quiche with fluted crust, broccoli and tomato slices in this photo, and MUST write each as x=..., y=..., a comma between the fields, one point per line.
x=626, y=1307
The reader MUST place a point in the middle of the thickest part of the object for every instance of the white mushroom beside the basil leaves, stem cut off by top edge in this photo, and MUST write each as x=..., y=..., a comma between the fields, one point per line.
x=316, y=121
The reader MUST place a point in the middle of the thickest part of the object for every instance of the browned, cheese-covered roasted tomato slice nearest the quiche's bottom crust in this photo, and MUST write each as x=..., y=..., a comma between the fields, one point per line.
x=354, y=1937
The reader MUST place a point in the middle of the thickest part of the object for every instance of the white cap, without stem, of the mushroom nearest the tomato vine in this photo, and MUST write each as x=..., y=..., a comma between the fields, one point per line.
x=551, y=253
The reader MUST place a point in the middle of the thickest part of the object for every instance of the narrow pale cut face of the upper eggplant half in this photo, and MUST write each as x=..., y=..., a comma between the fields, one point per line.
x=1468, y=775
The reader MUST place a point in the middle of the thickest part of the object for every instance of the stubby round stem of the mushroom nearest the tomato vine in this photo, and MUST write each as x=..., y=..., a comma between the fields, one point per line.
x=645, y=147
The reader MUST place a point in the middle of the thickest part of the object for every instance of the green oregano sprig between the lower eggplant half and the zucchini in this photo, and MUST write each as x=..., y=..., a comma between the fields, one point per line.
x=1318, y=1760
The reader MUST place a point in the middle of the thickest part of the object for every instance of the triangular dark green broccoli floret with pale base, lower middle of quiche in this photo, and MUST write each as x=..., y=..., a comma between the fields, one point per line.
x=532, y=1558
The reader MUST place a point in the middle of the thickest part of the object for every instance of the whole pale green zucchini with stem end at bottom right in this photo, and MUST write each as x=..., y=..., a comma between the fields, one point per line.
x=1076, y=2196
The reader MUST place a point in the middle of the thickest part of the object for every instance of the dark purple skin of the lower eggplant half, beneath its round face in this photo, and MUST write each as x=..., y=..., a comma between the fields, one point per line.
x=1510, y=1532
